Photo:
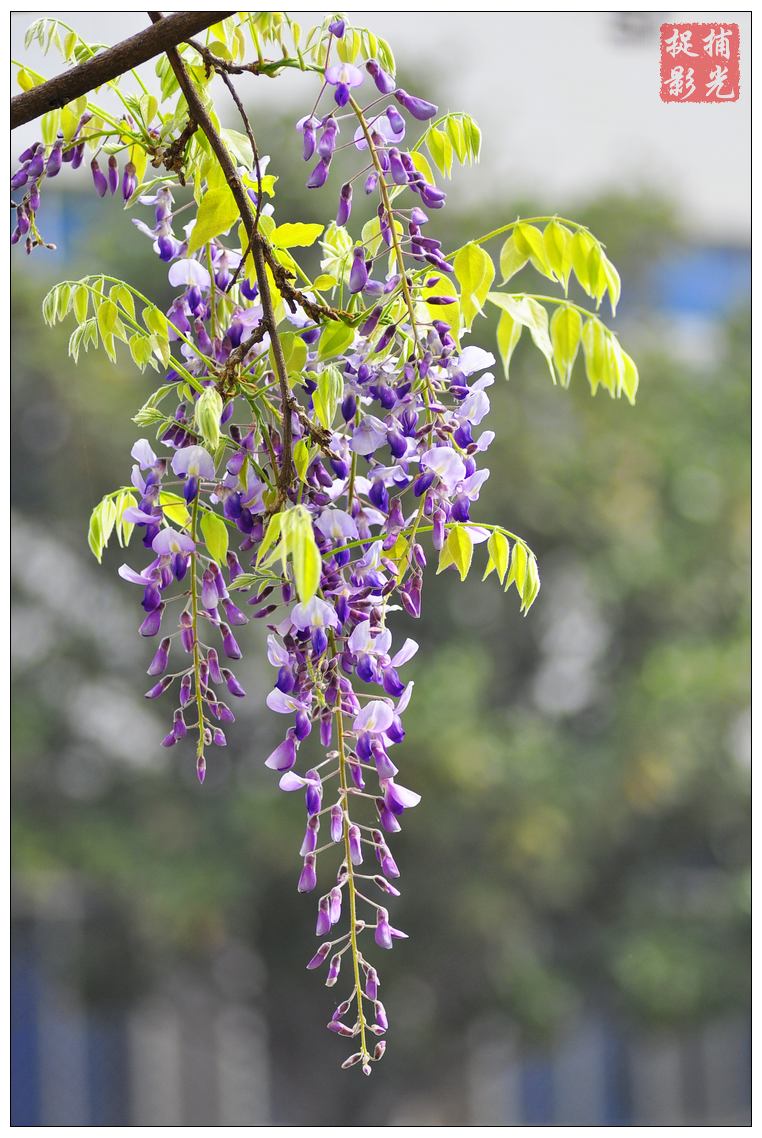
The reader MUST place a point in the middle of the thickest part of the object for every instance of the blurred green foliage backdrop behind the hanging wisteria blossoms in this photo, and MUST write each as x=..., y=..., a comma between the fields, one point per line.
x=584, y=836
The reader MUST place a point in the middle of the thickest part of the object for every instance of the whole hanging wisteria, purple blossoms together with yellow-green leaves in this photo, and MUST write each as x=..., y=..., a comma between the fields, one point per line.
x=318, y=441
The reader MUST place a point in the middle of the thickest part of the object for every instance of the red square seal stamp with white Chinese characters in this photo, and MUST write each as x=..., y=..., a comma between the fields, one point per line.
x=700, y=63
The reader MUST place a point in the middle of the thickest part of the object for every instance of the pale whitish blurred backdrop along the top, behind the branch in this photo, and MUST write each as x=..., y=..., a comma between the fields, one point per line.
x=569, y=106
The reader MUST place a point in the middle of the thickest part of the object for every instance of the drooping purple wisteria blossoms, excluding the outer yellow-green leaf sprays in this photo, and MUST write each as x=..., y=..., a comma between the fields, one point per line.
x=402, y=463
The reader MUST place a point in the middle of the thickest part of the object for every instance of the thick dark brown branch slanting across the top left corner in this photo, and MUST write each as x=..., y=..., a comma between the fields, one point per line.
x=111, y=64
